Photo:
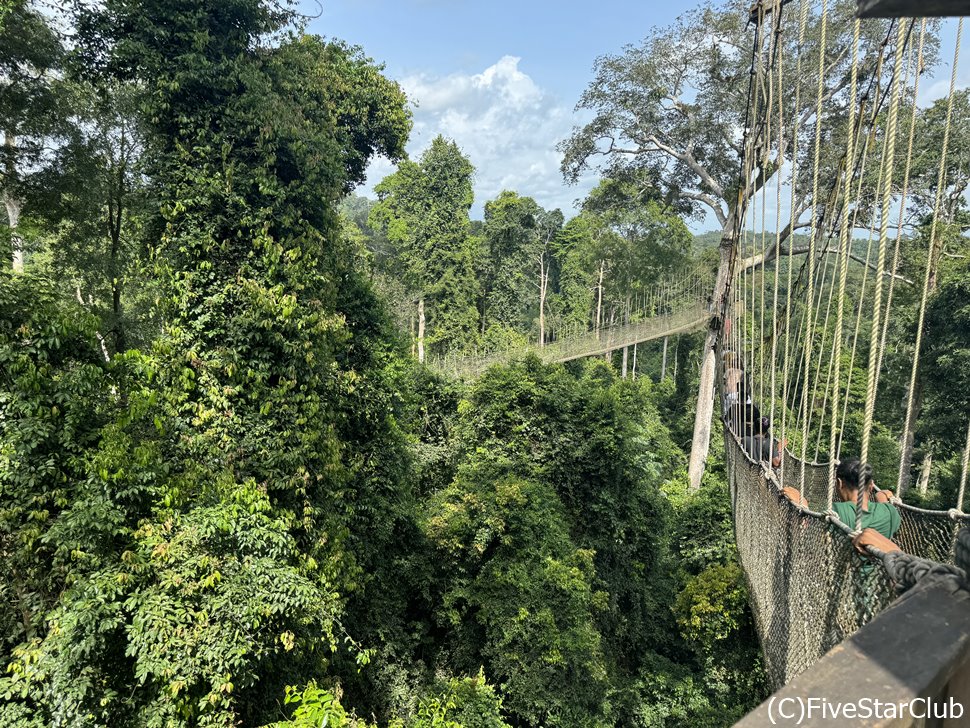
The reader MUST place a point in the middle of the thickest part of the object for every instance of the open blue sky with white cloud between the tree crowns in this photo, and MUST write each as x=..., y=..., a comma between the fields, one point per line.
x=499, y=77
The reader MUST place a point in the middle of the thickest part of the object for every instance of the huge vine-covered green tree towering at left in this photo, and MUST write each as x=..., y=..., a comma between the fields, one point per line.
x=249, y=472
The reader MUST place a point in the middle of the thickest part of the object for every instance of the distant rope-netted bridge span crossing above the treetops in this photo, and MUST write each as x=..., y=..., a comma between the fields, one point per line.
x=672, y=308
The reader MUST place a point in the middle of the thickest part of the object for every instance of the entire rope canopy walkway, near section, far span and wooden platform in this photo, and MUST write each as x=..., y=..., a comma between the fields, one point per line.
x=828, y=149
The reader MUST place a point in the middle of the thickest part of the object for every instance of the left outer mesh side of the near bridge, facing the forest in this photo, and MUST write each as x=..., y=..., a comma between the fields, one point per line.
x=809, y=589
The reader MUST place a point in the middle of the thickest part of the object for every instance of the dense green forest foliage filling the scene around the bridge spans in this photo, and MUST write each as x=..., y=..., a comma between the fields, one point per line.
x=230, y=492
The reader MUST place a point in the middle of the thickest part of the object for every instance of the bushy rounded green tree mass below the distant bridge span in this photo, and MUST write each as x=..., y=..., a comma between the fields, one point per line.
x=554, y=526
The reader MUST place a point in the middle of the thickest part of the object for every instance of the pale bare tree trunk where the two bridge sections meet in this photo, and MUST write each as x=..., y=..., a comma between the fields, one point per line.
x=701, y=442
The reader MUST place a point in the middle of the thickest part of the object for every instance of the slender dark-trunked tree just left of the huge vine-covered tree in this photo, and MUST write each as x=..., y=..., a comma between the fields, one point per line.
x=91, y=198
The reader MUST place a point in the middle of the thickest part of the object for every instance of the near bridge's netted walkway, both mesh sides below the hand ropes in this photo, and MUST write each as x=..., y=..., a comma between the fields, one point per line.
x=809, y=587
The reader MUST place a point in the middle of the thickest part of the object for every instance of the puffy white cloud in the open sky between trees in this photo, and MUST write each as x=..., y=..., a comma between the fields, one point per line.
x=504, y=122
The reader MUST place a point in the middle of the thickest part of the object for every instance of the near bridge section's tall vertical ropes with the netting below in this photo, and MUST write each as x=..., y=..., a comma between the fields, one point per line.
x=834, y=103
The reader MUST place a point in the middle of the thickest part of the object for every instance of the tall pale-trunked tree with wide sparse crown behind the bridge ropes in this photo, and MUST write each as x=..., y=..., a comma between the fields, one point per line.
x=671, y=107
